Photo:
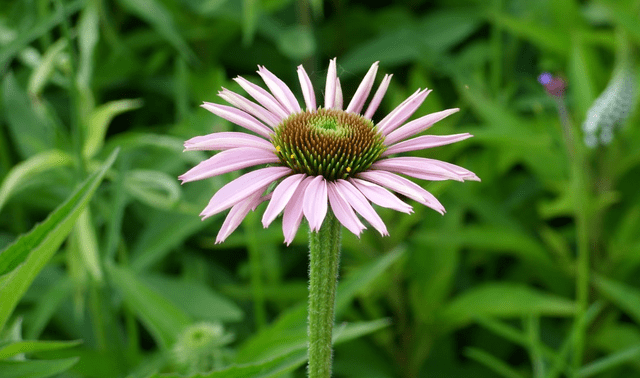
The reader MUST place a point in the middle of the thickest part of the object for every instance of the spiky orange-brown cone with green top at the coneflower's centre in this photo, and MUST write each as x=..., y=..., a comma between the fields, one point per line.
x=331, y=143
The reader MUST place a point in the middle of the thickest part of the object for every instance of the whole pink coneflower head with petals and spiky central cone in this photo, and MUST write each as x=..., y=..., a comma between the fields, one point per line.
x=321, y=157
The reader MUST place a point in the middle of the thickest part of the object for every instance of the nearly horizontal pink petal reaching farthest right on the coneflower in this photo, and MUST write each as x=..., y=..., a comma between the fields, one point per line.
x=417, y=167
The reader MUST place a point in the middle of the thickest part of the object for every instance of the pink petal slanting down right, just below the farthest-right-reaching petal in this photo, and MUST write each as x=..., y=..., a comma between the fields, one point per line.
x=403, y=186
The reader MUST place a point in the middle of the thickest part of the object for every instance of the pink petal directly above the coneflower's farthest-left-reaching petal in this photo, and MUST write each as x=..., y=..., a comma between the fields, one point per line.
x=226, y=140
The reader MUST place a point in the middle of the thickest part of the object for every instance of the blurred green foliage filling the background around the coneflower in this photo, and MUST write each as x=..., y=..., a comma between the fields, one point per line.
x=534, y=272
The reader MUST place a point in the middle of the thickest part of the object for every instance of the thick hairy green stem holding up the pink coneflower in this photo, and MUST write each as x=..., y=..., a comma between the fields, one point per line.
x=324, y=258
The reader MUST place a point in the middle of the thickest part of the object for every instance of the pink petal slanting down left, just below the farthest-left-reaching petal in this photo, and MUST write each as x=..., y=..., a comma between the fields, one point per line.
x=243, y=187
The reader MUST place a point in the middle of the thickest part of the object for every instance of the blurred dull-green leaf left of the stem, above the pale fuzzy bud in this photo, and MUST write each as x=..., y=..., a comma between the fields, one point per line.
x=196, y=299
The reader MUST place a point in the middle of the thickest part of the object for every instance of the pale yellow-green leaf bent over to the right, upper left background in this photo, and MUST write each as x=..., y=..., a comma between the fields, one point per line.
x=99, y=121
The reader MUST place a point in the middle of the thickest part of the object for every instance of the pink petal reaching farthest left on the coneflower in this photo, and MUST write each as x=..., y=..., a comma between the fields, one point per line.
x=229, y=161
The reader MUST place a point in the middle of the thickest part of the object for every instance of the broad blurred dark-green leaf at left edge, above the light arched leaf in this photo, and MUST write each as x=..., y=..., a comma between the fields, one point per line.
x=32, y=133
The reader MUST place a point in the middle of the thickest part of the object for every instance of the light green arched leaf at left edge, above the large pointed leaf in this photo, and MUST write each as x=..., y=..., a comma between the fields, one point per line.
x=24, y=171
